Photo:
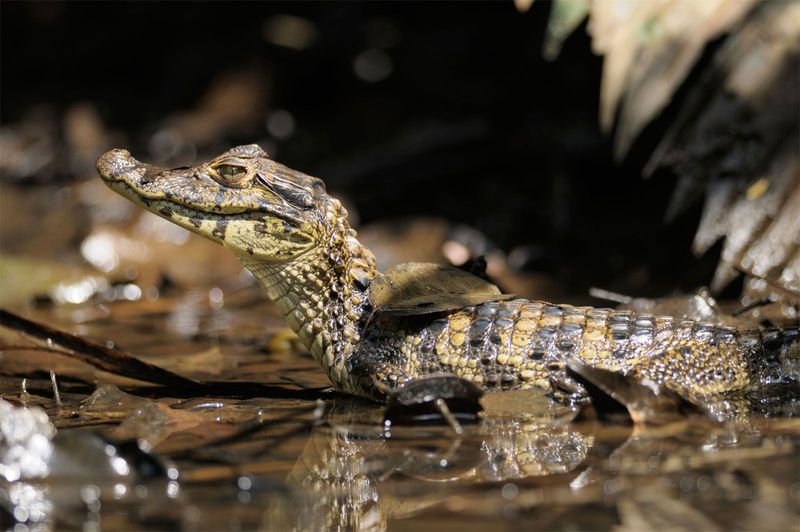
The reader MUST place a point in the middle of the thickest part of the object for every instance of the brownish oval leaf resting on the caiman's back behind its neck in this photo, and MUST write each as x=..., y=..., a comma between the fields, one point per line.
x=424, y=288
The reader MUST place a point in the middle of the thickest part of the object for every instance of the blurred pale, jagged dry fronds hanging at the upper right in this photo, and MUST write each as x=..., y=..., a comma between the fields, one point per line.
x=735, y=131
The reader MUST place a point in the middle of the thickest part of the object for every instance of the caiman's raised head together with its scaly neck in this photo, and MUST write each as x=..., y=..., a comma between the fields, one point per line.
x=292, y=236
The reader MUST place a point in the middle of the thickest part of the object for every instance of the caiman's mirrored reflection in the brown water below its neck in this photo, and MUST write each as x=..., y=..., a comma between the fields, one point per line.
x=354, y=476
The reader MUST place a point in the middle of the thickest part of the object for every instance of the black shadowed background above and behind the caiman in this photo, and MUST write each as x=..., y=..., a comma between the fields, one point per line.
x=471, y=124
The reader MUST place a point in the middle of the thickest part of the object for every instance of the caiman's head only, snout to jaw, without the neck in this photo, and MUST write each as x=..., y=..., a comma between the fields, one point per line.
x=242, y=199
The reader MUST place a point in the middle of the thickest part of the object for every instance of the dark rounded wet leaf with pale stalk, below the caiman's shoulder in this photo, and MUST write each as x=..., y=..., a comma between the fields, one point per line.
x=433, y=398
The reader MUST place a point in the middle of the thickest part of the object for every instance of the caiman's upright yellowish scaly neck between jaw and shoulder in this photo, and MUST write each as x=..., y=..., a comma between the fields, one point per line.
x=323, y=293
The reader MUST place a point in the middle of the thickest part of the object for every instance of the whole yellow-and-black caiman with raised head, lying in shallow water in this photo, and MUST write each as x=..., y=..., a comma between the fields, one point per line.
x=297, y=242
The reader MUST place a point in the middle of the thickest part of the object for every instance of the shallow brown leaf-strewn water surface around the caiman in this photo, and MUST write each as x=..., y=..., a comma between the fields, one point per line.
x=277, y=449
